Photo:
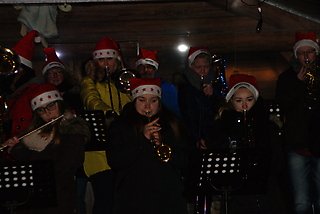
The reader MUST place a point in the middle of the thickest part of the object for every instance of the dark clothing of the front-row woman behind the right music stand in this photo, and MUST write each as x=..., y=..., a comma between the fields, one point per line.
x=248, y=136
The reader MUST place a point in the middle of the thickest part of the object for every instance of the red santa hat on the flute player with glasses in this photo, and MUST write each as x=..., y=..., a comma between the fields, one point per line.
x=43, y=94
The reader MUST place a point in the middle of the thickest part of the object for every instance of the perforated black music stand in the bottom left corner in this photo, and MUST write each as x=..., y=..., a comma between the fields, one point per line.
x=27, y=184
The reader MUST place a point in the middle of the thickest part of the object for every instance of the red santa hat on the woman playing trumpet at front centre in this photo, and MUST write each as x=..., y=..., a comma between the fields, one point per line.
x=141, y=86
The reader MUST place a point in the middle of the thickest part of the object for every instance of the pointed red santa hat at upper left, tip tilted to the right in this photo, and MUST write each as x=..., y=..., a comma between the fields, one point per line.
x=25, y=47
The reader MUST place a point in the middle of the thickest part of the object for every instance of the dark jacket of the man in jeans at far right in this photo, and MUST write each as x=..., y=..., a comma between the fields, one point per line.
x=301, y=113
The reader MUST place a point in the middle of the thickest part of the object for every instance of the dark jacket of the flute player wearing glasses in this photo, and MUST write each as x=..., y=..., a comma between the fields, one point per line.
x=66, y=157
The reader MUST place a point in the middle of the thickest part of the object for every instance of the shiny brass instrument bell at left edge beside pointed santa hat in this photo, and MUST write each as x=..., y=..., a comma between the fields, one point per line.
x=9, y=61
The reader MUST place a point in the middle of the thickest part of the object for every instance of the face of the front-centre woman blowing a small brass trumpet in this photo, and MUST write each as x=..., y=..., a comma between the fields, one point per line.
x=147, y=104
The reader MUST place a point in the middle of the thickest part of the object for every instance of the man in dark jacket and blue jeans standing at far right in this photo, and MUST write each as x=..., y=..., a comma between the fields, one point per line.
x=298, y=93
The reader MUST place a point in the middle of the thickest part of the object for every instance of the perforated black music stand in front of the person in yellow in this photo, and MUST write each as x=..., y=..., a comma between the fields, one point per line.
x=97, y=124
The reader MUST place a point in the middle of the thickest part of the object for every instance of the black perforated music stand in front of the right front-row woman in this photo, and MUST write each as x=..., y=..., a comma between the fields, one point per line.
x=223, y=172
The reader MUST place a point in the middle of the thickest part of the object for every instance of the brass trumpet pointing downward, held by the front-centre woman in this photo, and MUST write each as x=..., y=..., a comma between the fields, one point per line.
x=163, y=151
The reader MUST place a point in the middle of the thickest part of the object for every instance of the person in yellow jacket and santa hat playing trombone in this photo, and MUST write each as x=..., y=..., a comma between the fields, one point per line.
x=99, y=92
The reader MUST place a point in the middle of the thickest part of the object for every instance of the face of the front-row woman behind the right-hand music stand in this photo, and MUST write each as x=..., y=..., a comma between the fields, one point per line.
x=242, y=99
